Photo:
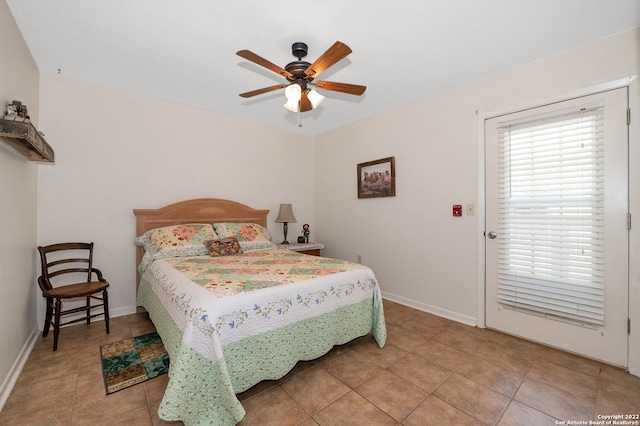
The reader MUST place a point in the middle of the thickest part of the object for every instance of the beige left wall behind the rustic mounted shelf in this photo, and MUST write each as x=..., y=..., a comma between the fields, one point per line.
x=18, y=203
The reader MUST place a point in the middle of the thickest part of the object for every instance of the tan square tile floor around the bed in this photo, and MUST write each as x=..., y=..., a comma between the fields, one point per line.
x=432, y=371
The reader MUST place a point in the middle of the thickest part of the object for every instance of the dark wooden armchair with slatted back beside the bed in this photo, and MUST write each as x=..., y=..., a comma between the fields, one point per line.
x=74, y=261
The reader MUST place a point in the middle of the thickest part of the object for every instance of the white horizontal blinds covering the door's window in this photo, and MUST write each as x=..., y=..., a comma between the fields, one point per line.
x=551, y=215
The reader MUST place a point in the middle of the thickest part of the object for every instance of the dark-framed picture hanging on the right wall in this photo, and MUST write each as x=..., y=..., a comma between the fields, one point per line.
x=377, y=178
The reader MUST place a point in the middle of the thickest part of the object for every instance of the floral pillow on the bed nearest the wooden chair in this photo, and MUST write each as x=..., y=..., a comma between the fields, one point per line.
x=177, y=240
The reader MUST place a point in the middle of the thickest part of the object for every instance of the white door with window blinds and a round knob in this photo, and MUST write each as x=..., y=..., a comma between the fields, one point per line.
x=556, y=225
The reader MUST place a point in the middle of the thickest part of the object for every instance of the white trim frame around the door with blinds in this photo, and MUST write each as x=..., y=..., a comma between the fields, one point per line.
x=480, y=211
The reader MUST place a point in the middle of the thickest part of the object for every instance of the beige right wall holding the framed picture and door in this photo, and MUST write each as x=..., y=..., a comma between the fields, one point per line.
x=422, y=255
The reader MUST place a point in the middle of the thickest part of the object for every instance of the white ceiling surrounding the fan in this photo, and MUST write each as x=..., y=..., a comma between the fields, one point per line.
x=184, y=50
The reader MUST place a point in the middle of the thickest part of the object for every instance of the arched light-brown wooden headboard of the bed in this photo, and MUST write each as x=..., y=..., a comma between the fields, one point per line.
x=200, y=210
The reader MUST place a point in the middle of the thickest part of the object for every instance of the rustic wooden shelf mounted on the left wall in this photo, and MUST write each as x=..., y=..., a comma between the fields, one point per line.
x=24, y=138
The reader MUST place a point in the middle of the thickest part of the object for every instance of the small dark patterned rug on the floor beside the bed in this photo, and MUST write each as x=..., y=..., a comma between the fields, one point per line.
x=132, y=361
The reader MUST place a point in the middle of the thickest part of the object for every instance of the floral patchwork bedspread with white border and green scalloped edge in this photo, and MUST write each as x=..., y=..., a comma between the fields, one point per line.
x=229, y=322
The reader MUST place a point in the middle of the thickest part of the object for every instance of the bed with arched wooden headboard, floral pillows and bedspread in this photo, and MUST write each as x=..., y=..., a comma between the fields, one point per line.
x=233, y=309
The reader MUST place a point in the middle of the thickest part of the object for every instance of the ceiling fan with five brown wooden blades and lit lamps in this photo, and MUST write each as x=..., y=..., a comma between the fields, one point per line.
x=300, y=74
